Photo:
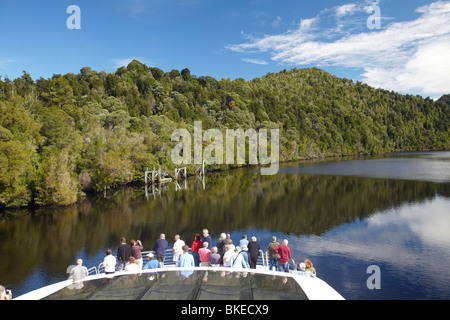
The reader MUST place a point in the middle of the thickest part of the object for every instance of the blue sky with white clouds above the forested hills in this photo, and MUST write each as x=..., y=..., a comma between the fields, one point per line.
x=408, y=53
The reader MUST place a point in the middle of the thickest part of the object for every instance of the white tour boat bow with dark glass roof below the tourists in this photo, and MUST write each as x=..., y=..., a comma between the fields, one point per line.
x=187, y=284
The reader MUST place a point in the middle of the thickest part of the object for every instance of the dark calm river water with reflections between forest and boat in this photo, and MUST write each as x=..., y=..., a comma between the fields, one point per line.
x=346, y=216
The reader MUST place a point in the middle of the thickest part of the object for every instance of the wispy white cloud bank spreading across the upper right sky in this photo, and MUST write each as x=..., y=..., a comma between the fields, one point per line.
x=409, y=56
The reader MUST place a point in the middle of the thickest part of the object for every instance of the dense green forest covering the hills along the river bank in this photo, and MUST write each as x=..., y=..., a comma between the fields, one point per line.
x=93, y=130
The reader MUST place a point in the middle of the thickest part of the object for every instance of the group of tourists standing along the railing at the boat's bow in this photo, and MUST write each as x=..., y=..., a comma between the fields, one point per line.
x=224, y=254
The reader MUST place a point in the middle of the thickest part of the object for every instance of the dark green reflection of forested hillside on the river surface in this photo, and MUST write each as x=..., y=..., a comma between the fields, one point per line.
x=292, y=204
